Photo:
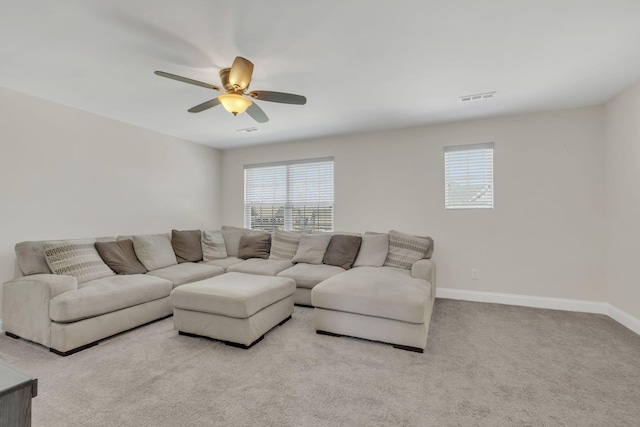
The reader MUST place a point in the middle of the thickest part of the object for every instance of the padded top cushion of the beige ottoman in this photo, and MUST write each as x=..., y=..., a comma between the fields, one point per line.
x=233, y=294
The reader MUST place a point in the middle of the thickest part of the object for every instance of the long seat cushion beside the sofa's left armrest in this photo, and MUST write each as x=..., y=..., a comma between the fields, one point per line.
x=107, y=295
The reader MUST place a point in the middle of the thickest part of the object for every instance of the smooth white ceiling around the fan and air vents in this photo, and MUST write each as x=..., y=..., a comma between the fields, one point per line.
x=363, y=65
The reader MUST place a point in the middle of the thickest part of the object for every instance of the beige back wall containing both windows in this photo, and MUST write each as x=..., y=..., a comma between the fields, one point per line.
x=545, y=236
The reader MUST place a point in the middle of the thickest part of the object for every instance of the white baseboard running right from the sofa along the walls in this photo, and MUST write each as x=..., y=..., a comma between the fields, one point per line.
x=582, y=306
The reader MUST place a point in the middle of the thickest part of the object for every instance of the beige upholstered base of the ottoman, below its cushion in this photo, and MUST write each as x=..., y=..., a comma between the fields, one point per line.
x=233, y=331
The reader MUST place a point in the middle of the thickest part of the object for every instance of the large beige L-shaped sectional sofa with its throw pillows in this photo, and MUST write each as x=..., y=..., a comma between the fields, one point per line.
x=68, y=295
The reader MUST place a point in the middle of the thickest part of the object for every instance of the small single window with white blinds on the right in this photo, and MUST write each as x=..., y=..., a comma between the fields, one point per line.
x=468, y=176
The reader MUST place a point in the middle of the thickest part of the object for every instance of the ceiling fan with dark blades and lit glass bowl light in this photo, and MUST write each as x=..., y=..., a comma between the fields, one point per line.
x=235, y=98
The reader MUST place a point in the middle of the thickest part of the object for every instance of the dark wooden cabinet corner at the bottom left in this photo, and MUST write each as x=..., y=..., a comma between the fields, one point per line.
x=16, y=391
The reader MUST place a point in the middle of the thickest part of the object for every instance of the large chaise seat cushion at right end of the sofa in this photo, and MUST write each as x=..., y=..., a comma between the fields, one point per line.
x=386, y=292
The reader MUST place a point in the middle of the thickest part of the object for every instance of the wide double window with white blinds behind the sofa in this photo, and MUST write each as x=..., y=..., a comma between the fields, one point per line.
x=294, y=195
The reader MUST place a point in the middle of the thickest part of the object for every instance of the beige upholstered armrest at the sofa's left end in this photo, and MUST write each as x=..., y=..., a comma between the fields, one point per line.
x=25, y=304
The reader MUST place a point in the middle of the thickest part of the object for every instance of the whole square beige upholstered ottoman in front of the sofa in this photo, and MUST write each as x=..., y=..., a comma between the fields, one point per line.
x=235, y=308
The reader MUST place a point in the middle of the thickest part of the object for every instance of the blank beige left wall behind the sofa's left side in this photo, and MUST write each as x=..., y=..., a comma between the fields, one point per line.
x=65, y=173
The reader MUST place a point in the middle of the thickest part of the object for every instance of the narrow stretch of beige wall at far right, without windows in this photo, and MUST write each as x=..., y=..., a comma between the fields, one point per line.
x=622, y=167
